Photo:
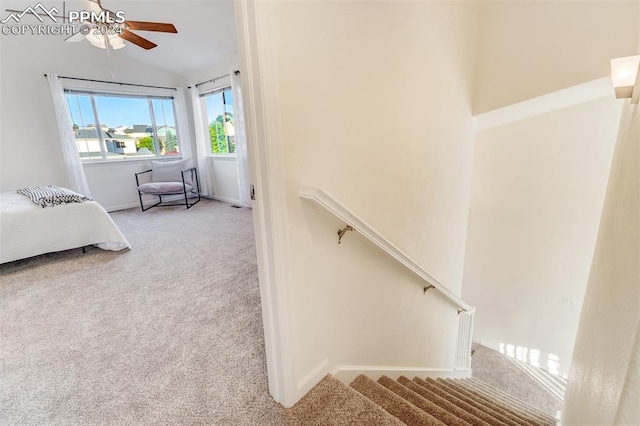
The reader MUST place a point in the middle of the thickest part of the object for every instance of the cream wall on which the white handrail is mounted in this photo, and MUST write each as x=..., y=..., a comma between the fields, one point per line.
x=380, y=119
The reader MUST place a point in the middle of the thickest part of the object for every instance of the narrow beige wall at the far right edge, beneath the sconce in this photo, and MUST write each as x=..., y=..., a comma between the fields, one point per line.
x=602, y=360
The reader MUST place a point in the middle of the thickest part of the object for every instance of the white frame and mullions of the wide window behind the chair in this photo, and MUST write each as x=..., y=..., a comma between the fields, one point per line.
x=150, y=97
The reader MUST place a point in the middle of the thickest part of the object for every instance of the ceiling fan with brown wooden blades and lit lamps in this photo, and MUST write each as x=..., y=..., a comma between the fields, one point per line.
x=100, y=34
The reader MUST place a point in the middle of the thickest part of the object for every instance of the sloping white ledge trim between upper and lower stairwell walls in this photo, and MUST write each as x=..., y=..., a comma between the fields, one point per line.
x=575, y=95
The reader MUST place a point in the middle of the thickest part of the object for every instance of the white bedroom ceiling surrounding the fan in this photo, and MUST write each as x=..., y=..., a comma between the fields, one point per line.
x=206, y=32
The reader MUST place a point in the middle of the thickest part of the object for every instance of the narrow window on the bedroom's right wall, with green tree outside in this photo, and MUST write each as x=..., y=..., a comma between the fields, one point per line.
x=219, y=107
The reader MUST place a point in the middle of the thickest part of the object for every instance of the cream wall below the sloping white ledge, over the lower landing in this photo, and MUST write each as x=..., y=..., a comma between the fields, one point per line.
x=538, y=187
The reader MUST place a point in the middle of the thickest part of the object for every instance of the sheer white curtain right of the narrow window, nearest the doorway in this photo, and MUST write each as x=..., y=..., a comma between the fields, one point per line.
x=241, y=140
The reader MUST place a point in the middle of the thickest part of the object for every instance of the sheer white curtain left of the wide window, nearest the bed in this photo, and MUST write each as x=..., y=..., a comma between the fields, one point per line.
x=72, y=161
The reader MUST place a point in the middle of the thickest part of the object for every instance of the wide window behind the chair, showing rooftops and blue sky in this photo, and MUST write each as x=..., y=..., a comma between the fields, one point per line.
x=114, y=126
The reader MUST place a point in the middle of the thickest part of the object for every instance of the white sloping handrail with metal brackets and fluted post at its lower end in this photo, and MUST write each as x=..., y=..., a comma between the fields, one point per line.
x=352, y=222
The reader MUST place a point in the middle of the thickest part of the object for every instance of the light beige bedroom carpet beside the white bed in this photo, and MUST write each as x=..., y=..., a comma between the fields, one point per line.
x=169, y=332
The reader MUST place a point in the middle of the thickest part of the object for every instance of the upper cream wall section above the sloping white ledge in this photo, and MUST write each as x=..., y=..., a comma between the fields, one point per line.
x=530, y=48
